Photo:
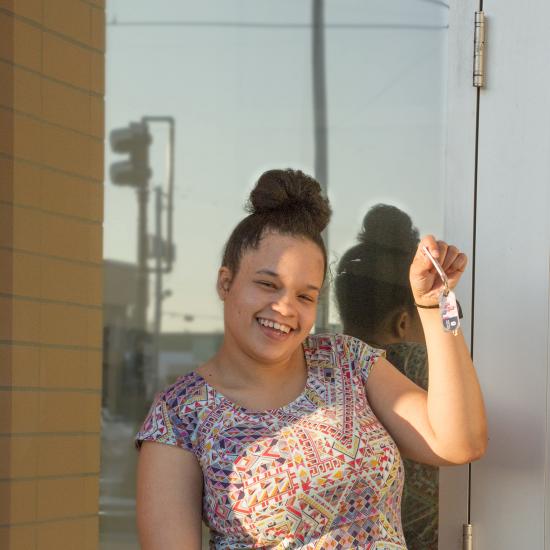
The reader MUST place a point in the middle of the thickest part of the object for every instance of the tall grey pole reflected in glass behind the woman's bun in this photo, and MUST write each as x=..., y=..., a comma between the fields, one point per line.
x=320, y=134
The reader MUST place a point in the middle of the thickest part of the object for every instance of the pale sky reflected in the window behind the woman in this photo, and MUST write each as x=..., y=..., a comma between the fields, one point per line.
x=236, y=76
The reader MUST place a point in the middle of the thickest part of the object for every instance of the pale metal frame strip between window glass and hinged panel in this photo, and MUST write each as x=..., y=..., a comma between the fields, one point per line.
x=459, y=219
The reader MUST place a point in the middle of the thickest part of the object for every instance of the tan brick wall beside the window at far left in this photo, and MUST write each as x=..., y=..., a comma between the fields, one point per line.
x=51, y=208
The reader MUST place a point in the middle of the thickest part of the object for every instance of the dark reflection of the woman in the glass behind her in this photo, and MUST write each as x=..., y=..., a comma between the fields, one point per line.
x=376, y=304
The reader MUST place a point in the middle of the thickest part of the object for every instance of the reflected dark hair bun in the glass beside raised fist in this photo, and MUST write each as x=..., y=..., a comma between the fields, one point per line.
x=388, y=226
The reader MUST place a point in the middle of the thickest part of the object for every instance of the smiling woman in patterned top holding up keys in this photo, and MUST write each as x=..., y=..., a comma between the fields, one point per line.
x=290, y=440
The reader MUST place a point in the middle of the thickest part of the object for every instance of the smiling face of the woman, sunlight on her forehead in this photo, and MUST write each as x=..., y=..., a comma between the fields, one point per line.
x=270, y=304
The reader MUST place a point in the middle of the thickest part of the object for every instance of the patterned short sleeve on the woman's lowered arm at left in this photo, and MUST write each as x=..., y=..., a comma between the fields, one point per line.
x=166, y=424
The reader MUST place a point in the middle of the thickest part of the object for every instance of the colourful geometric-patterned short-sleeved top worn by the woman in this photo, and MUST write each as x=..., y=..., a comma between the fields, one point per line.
x=319, y=473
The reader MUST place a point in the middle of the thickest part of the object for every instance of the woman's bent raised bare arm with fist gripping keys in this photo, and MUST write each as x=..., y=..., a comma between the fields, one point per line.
x=447, y=424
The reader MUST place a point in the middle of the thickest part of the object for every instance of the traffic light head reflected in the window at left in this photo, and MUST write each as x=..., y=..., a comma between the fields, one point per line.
x=135, y=140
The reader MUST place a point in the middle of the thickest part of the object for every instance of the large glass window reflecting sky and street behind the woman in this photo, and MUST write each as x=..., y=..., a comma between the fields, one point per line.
x=239, y=80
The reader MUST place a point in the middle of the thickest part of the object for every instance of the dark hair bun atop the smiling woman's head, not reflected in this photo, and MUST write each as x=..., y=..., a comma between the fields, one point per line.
x=290, y=193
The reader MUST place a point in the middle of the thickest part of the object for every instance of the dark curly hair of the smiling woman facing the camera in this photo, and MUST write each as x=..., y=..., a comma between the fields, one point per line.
x=287, y=202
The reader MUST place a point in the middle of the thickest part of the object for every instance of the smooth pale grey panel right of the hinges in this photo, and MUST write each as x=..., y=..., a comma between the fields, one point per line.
x=509, y=491
